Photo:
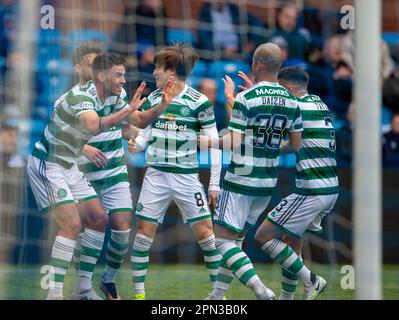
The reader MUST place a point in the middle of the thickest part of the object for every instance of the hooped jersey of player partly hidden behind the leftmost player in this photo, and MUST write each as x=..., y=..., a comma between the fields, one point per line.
x=110, y=143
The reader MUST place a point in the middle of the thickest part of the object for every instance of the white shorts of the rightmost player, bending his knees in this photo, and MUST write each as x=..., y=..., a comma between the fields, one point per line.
x=296, y=213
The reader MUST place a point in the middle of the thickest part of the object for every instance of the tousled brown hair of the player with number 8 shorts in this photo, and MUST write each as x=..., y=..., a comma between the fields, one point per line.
x=180, y=57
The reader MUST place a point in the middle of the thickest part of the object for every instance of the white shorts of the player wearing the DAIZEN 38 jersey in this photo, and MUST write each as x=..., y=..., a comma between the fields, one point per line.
x=236, y=211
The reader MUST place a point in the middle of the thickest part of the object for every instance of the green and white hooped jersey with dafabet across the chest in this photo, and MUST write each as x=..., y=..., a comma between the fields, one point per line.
x=173, y=143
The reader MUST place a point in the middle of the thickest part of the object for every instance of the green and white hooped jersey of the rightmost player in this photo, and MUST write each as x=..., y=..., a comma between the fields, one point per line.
x=316, y=162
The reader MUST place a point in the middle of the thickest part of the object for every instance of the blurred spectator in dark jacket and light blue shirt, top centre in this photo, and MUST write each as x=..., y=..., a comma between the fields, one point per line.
x=222, y=35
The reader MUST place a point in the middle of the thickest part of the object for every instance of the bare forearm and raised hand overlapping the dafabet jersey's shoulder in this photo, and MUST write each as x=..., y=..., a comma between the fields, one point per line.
x=144, y=118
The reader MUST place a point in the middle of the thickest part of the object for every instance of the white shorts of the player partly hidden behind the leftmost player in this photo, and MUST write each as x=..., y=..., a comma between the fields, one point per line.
x=117, y=198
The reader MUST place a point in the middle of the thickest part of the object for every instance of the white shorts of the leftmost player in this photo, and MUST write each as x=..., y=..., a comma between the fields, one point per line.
x=54, y=185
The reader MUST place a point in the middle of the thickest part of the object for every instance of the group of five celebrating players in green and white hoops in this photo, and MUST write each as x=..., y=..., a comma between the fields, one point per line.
x=78, y=171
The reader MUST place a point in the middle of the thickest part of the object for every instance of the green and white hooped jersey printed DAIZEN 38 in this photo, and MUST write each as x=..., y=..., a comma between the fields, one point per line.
x=265, y=114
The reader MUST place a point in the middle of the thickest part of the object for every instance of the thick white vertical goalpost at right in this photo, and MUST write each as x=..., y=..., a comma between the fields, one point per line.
x=367, y=153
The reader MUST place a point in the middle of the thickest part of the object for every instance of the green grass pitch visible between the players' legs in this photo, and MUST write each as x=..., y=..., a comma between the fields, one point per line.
x=182, y=282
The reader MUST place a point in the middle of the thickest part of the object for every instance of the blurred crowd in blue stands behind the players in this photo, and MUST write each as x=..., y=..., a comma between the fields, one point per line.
x=225, y=35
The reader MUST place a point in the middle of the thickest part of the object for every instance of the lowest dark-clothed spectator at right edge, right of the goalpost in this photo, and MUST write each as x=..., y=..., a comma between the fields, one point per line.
x=390, y=144
